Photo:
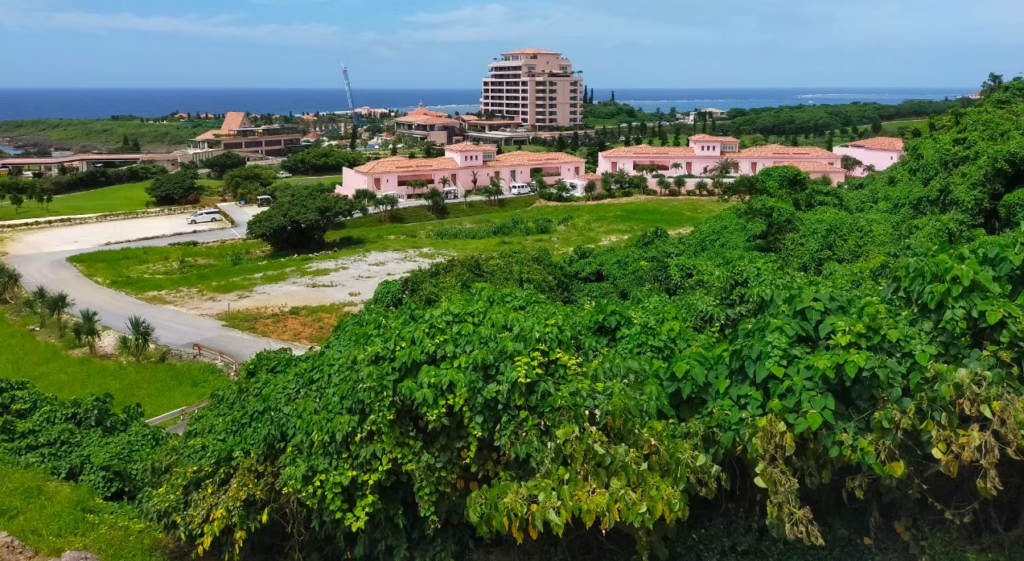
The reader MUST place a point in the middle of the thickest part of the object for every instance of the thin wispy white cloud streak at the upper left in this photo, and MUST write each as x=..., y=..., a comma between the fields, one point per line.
x=216, y=28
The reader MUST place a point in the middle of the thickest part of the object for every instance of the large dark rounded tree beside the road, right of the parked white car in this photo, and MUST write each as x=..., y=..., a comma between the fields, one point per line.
x=302, y=218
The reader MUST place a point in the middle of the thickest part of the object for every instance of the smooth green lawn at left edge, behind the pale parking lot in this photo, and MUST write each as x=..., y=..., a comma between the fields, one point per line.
x=127, y=198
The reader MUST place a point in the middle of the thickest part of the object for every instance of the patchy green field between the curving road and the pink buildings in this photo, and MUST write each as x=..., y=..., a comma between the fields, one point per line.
x=231, y=268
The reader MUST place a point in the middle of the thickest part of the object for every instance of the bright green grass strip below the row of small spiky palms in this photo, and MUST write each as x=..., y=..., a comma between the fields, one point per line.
x=158, y=387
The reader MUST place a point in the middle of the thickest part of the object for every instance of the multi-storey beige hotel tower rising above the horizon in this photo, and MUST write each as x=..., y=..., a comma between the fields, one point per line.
x=536, y=89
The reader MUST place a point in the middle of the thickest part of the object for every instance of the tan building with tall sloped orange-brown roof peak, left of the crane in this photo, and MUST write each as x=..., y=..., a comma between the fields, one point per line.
x=238, y=135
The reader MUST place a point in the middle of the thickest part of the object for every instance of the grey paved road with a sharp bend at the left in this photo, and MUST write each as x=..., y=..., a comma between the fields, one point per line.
x=176, y=329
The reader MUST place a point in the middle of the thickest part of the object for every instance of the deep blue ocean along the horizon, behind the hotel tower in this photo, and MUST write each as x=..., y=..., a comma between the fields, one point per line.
x=98, y=104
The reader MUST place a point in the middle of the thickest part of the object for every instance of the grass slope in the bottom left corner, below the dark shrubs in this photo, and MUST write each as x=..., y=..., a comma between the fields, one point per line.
x=54, y=517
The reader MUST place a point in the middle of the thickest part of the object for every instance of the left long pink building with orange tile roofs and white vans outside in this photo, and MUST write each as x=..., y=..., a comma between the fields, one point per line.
x=461, y=162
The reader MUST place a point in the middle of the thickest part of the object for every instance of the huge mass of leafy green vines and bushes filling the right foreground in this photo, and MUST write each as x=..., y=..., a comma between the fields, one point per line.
x=810, y=344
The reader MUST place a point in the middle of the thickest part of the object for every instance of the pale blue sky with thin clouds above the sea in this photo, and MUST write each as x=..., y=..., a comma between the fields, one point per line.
x=449, y=44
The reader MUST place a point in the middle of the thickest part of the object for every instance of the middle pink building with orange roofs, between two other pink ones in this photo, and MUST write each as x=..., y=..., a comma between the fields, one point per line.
x=703, y=155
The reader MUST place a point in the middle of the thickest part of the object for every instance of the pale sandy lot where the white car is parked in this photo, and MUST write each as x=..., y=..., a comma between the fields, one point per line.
x=93, y=236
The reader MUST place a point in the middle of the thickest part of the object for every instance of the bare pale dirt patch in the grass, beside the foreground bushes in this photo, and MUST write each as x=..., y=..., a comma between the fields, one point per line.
x=348, y=280
